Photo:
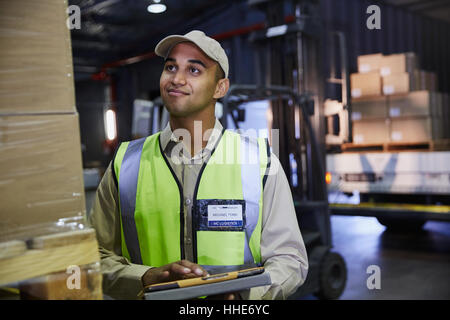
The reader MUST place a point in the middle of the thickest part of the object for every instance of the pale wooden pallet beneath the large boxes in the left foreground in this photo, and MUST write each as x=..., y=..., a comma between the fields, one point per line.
x=40, y=265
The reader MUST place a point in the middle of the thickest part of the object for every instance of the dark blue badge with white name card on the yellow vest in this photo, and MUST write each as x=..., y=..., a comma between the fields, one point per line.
x=221, y=215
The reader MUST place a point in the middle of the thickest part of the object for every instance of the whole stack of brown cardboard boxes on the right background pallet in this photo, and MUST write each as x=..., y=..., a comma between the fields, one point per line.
x=394, y=101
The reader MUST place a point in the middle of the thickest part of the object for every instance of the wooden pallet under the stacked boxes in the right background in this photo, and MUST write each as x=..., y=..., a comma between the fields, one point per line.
x=432, y=145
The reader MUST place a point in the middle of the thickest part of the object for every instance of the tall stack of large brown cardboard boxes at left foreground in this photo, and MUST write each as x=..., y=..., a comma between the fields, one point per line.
x=41, y=179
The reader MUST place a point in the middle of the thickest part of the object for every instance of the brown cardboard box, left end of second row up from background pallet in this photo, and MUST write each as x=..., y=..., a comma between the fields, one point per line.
x=369, y=108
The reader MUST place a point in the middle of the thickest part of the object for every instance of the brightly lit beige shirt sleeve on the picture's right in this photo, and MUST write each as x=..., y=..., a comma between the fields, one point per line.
x=283, y=251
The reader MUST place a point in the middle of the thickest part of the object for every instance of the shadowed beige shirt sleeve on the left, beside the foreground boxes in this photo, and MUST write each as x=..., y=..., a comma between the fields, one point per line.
x=121, y=278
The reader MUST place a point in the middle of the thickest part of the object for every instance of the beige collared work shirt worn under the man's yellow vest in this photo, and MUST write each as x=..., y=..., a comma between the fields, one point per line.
x=283, y=252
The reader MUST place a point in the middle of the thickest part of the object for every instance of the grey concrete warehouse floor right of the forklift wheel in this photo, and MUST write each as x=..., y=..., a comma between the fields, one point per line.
x=412, y=265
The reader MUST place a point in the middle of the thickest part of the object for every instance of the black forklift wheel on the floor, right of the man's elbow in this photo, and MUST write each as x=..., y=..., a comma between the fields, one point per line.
x=332, y=276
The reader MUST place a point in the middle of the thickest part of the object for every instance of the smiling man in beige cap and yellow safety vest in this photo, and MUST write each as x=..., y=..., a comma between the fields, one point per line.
x=159, y=212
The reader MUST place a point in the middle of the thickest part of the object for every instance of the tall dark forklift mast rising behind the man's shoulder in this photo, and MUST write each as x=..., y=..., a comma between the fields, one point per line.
x=288, y=55
